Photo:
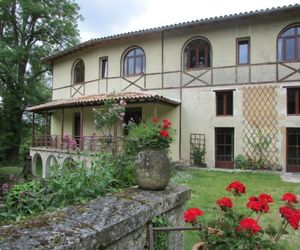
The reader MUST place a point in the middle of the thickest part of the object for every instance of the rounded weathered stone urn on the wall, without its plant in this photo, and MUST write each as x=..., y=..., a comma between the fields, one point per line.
x=152, y=169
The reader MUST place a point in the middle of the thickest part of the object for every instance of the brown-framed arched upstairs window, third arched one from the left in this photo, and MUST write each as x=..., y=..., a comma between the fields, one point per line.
x=197, y=54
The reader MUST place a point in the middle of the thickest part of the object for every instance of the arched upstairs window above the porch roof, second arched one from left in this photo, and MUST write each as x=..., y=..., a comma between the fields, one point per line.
x=134, y=62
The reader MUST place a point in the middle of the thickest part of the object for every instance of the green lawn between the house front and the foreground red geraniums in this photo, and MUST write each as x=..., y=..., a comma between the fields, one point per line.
x=208, y=186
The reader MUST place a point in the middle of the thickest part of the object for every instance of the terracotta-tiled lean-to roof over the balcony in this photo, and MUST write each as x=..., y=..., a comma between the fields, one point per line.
x=130, y=97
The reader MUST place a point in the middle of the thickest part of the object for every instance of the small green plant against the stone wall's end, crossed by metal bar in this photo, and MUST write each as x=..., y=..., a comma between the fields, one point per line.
x=160, y=237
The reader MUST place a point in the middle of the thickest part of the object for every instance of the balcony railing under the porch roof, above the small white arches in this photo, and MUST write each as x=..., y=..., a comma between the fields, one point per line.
x=85, y=143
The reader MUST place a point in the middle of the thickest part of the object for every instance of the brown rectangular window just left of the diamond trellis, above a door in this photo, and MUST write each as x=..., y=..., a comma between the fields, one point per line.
x=224, y=103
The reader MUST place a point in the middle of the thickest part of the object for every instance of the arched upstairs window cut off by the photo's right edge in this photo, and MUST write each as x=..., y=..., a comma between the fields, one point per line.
x=289, y=44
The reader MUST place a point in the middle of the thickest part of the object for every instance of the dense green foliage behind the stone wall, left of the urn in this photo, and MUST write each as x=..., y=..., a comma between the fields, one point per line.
x=68, y=185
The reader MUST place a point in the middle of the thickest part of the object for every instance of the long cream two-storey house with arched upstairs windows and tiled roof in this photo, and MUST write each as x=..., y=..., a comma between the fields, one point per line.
x=230, y=84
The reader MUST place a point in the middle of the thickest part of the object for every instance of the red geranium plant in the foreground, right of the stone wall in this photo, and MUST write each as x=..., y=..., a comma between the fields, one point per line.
x=234, y=230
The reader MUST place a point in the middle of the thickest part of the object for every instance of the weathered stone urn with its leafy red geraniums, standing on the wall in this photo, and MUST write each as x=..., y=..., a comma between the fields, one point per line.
x=150, y=141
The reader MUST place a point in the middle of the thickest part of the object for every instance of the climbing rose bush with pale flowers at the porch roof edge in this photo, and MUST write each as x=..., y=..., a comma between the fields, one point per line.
x=108, y=115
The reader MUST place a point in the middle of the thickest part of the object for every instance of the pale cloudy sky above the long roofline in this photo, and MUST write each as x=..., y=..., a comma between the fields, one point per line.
x=108, y=17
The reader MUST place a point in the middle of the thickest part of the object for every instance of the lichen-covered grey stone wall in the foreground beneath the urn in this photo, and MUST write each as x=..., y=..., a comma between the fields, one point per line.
x=116, y=221
